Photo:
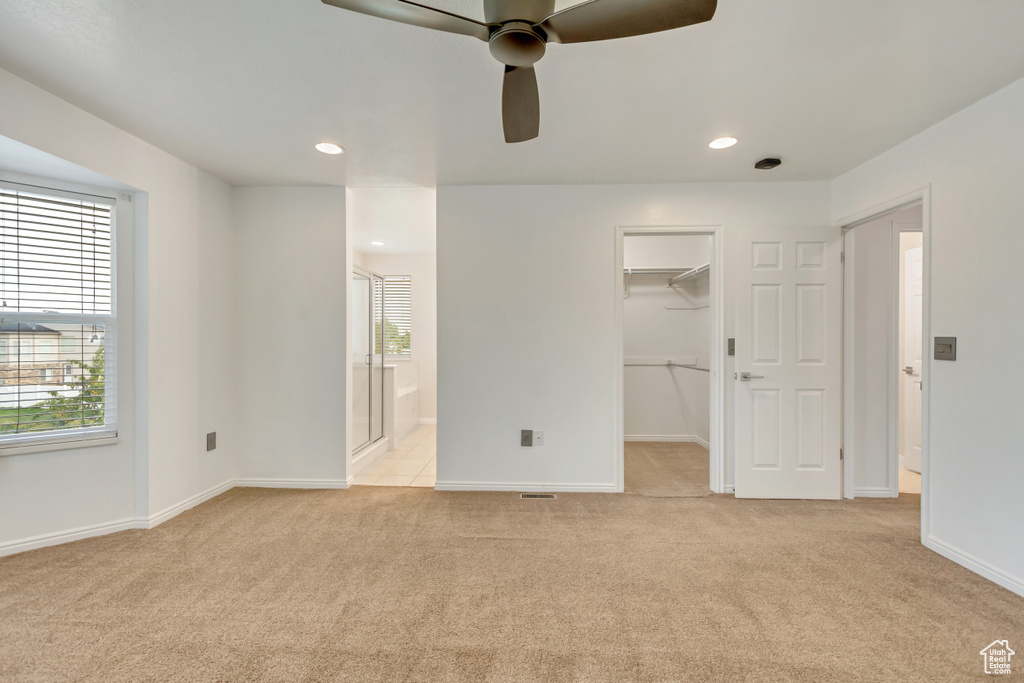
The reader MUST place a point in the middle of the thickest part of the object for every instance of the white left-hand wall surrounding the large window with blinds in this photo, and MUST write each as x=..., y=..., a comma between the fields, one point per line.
x=163, y=463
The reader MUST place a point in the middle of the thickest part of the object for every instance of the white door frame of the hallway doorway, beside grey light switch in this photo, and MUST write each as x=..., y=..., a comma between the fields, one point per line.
x=921, y=196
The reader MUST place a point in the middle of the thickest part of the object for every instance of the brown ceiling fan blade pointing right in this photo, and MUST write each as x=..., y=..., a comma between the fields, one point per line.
x=605, y=20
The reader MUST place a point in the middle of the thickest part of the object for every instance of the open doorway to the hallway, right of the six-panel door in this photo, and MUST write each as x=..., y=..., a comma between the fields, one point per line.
x=885, y=354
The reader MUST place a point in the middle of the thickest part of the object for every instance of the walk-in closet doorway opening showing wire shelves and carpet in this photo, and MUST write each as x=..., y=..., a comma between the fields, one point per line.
x=670, y=326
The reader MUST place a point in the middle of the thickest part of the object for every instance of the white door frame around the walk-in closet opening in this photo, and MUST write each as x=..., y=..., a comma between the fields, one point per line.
x=717, y=364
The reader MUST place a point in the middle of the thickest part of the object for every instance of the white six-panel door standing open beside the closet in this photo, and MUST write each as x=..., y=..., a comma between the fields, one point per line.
x=789, y=363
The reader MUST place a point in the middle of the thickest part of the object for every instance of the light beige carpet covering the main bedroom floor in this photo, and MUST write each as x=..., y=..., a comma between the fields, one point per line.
x=412, y=585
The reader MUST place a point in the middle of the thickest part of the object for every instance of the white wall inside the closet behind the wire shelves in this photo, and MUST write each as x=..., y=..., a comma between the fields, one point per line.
x=663, y=404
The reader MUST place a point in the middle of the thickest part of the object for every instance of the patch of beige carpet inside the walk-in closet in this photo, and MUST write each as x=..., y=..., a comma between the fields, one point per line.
x=667, y=471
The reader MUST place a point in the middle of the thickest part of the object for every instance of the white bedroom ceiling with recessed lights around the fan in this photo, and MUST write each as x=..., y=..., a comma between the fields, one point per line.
x=244, y=89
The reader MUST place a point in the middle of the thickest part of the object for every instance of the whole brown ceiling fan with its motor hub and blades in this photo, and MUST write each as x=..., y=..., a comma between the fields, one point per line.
x=519, y=31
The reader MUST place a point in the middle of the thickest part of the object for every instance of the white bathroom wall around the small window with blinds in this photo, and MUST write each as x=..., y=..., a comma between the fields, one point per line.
x=422, y=368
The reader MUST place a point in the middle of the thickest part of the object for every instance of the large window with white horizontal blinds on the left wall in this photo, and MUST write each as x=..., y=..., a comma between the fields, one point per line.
x=57, y=314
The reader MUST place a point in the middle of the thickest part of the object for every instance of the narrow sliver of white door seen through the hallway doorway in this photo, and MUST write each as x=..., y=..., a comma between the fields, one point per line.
x=913, y=292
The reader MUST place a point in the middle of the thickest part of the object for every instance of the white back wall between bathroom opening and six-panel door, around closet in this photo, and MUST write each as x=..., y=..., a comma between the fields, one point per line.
x=526, y=327
